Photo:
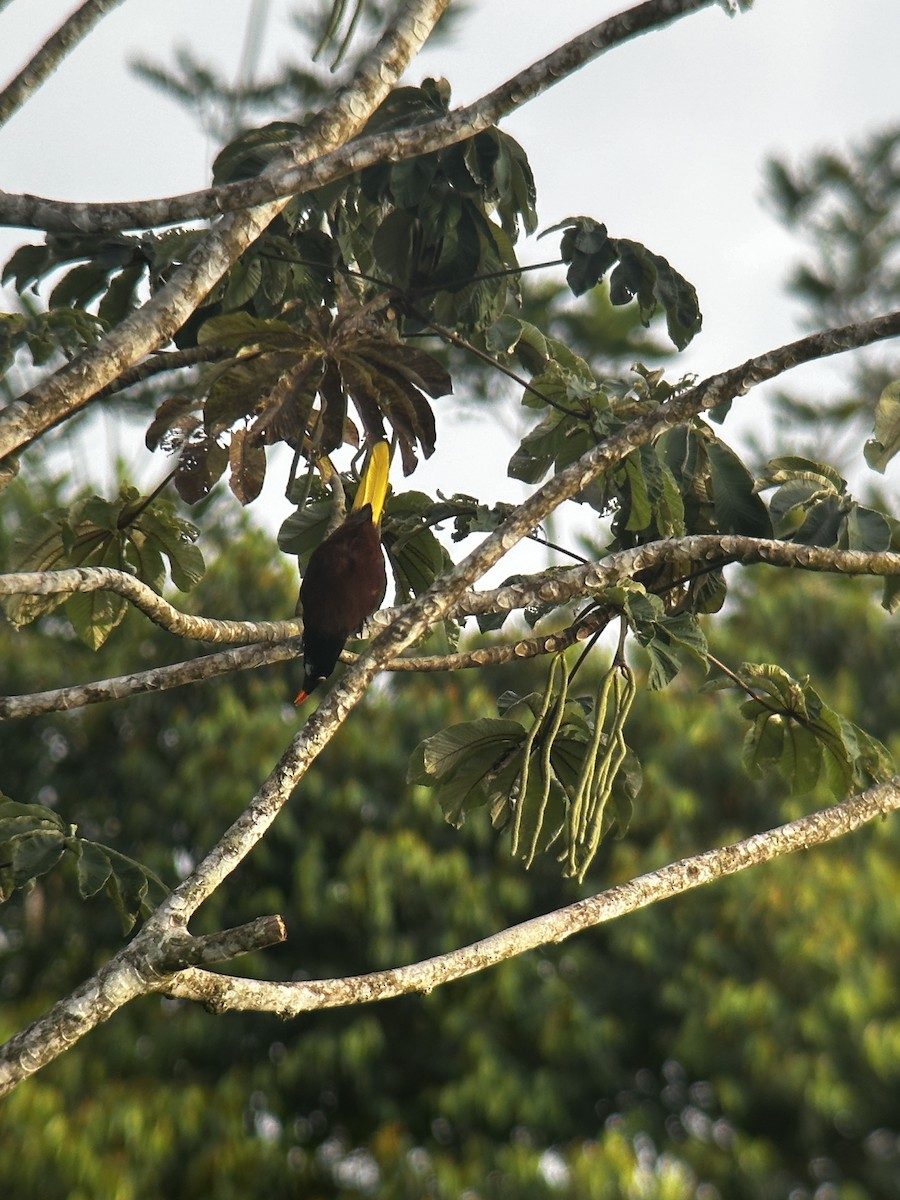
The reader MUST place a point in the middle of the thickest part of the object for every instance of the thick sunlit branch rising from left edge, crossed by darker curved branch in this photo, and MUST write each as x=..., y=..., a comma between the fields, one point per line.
x=154, y=325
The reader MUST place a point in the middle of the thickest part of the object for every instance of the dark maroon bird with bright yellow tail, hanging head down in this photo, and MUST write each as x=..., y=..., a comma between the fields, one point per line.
x=345, y=581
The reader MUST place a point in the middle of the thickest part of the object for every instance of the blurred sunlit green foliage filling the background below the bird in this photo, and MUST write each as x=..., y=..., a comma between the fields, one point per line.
x=743, y=1037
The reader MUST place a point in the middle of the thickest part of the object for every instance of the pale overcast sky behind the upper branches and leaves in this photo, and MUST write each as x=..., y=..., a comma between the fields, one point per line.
x=664, y=139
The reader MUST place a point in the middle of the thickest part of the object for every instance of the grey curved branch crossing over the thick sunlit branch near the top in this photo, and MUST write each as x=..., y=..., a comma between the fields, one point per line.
x=299, y=177
